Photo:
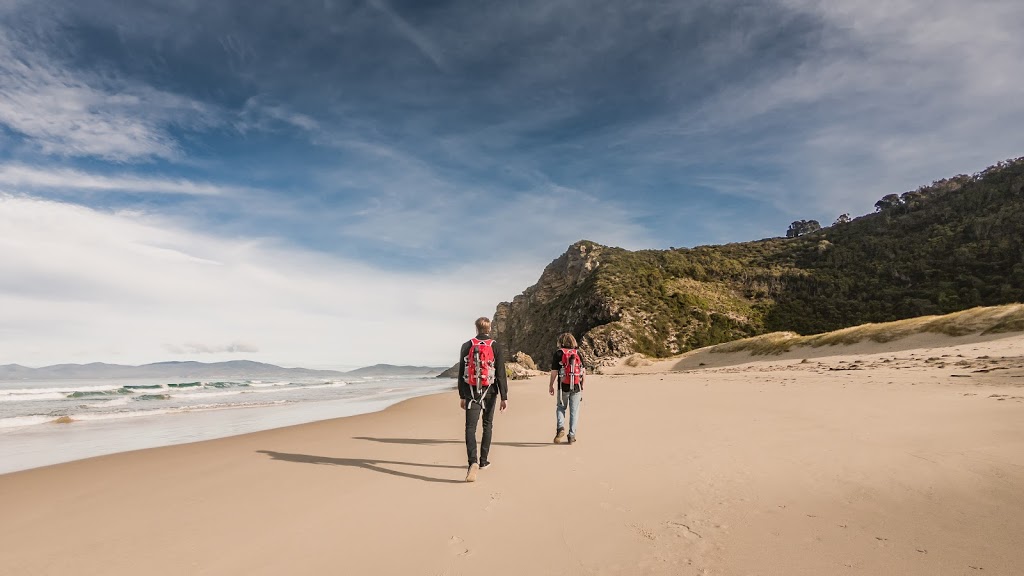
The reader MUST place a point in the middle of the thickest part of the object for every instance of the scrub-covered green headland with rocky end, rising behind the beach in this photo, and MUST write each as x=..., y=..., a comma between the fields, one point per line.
x=956, y=244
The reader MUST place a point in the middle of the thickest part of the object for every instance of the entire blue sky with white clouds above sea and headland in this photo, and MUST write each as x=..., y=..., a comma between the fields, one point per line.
x=297, y=183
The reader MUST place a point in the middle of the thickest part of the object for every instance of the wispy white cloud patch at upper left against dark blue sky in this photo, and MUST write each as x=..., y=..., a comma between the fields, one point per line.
x=79, y=112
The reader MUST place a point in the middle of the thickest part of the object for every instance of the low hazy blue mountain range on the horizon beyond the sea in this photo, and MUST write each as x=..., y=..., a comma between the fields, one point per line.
x=234, y=371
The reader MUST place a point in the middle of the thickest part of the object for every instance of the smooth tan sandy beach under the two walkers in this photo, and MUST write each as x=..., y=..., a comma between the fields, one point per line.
x=900, y=459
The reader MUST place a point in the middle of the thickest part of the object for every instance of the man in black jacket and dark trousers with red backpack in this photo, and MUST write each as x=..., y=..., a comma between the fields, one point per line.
x=482, y=380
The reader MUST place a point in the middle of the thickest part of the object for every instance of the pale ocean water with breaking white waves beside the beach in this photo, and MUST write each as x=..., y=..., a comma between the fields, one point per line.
x=49, y=423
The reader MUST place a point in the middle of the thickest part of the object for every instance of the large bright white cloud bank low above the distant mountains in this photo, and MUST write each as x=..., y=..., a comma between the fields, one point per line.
x=75, y=287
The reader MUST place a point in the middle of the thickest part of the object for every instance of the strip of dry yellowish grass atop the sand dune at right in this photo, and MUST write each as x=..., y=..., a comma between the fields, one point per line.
x=989, y=320
